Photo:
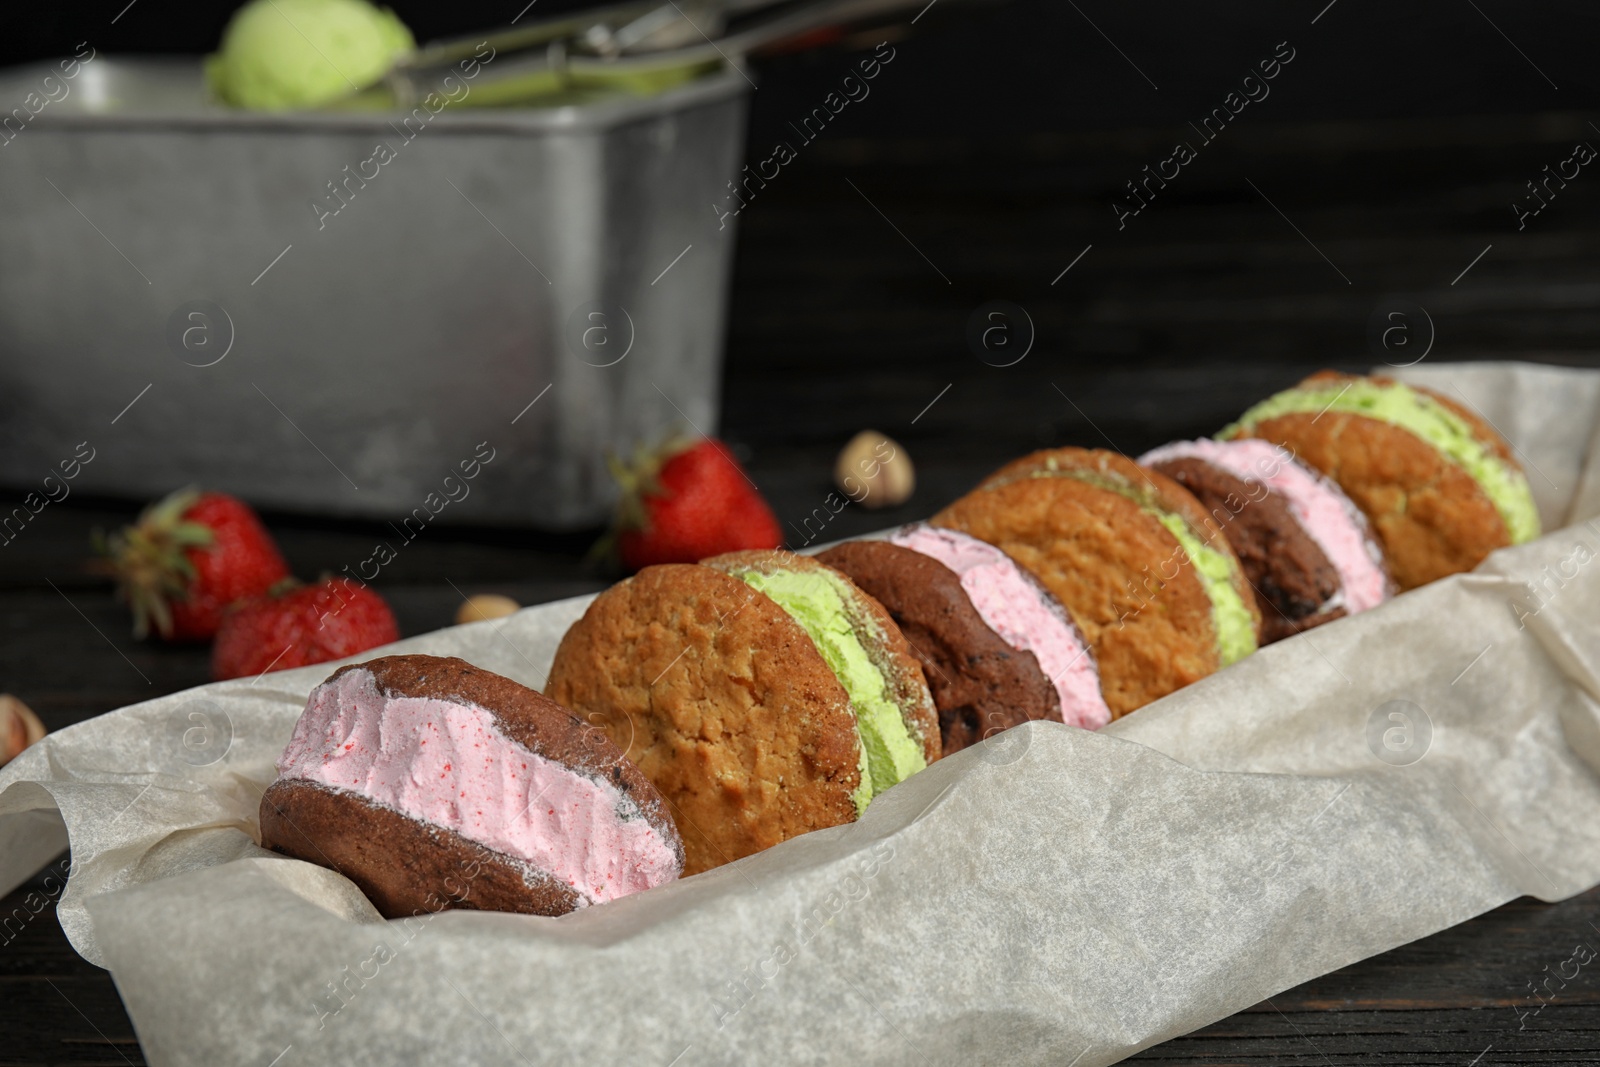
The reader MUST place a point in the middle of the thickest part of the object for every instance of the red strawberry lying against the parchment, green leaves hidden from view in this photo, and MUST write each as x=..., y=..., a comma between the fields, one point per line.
x=306, y=625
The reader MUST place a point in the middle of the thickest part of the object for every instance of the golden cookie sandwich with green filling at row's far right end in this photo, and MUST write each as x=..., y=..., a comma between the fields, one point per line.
x=1439, y=486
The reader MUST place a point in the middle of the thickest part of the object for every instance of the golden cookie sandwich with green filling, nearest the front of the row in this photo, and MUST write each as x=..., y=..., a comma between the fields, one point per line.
x=762, y=693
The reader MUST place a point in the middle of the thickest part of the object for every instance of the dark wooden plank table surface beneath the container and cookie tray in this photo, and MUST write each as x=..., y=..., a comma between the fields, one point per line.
x=1210, y=302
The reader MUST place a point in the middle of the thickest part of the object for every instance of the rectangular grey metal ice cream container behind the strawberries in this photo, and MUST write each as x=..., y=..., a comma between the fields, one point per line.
x=337, y=313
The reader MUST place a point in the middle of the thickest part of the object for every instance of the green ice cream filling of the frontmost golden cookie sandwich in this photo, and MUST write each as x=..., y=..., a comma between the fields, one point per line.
x=817, y=601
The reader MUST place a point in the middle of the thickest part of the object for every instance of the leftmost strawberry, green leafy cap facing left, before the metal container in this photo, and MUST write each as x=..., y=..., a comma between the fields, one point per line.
x=188, y=559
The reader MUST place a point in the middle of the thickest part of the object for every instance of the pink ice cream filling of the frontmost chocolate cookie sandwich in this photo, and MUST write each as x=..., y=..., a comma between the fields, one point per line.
x=449, y=765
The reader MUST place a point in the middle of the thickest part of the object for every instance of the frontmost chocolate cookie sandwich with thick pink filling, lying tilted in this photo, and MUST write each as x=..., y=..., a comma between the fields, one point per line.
x=434, y=785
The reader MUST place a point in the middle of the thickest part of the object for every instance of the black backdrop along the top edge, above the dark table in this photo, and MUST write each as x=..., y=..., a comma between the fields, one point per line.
x=986, y=70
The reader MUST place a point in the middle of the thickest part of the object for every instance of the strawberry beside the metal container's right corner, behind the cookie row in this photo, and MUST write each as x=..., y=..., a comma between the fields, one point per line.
x=686, y=503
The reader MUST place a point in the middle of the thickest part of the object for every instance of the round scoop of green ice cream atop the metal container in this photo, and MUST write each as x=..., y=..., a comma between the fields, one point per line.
x=279, y=55
